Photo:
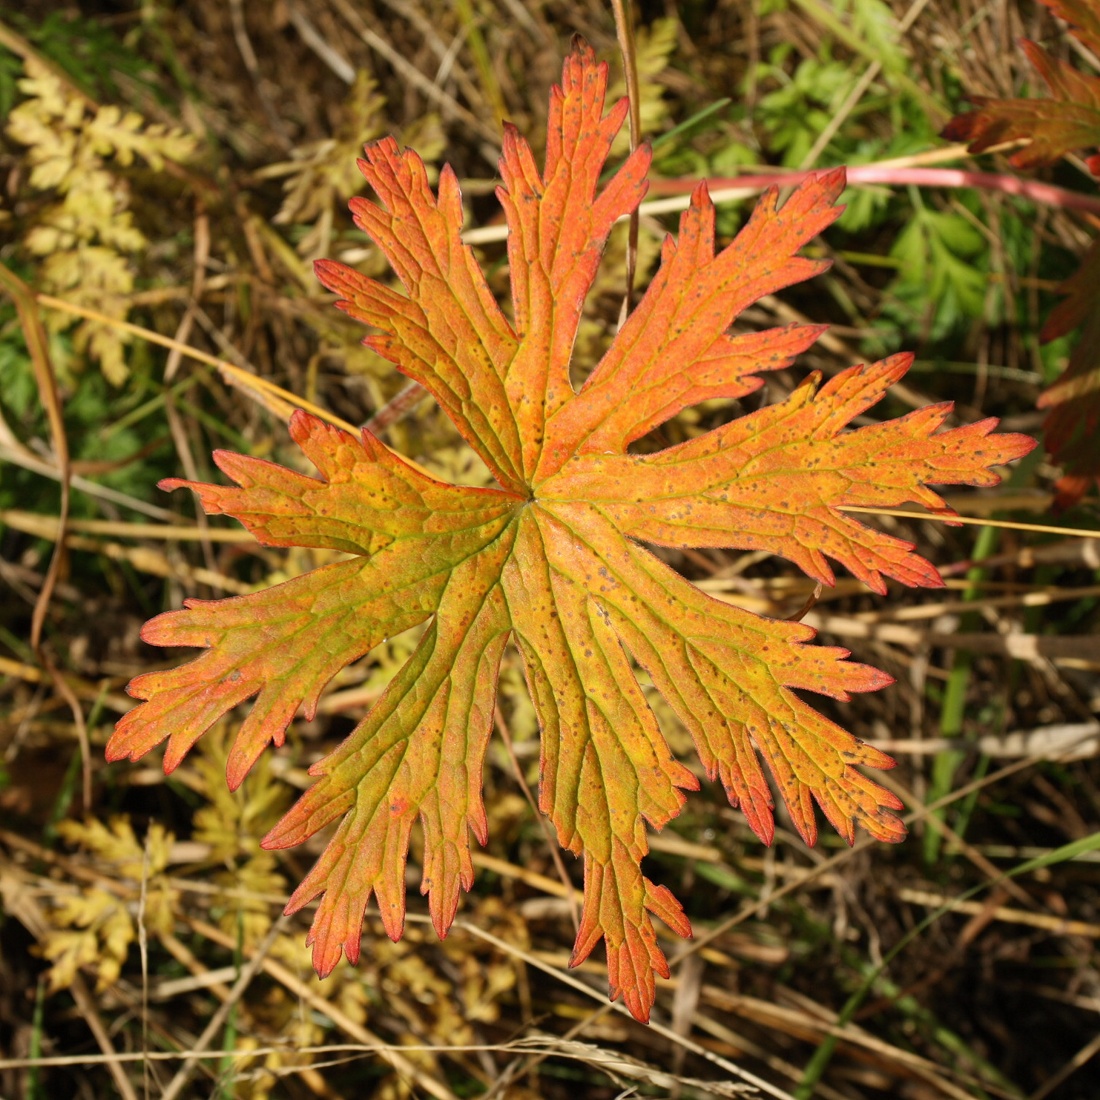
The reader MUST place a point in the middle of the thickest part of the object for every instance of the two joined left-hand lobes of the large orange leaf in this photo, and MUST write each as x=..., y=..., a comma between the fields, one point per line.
x=288, y=643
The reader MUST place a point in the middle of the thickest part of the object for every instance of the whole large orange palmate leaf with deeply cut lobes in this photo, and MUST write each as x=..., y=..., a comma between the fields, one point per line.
x=554, y=559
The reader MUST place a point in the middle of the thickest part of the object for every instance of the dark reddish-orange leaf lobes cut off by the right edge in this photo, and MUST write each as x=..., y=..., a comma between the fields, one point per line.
x=1070, y=120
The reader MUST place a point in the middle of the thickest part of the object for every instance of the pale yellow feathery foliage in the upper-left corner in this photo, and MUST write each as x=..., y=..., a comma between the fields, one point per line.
x=89, y=238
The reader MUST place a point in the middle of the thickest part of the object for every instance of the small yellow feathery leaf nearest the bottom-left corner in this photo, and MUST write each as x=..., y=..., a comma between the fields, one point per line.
x=95, y=928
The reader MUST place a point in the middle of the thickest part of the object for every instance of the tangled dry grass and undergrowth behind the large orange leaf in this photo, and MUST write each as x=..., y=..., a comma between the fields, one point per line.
x=170, y=173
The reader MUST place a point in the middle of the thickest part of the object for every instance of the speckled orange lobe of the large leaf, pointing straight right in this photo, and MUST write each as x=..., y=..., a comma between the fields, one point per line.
x=777, y=480
